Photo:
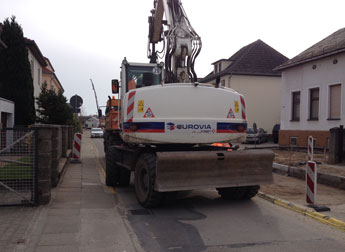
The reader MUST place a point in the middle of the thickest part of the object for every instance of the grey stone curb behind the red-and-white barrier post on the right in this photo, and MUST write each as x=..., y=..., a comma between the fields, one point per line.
x=322, y=178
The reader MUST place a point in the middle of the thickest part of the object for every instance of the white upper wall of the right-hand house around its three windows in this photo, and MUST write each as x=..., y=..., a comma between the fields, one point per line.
x=302, y=78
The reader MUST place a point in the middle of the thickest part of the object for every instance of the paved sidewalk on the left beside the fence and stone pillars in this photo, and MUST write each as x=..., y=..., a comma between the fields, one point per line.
x=82, y=215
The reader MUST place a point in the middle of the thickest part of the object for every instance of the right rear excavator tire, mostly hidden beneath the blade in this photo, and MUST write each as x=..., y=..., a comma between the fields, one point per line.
x=238, y=193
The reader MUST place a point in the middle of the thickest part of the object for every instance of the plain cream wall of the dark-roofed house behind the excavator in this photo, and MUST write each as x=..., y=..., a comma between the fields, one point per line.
x=262, y=96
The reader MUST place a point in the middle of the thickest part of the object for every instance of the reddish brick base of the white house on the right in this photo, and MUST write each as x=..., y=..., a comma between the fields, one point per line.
x=321, y=137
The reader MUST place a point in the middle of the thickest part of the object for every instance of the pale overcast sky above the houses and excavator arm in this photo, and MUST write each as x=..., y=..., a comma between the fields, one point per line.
x=88, y=39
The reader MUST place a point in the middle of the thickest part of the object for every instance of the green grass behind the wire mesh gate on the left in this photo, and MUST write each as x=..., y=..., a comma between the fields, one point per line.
x=14, y=171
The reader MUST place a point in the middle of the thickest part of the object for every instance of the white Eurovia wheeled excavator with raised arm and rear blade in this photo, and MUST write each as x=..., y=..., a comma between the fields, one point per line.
x=168, y=123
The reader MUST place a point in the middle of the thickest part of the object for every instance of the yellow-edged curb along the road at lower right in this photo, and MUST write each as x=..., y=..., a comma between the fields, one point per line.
x=304, y=211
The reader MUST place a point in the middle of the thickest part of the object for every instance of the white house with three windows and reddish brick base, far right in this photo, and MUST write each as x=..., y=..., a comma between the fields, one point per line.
x=313, y=92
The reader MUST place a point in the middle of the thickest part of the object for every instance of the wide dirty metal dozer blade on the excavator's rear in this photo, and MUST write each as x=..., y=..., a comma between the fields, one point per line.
x=176, y=171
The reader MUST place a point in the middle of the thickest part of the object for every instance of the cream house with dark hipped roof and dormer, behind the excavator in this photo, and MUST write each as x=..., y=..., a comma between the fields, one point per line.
x=250, y=72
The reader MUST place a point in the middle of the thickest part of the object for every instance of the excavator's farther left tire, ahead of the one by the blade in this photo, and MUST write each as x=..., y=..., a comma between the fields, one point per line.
x=112, y=171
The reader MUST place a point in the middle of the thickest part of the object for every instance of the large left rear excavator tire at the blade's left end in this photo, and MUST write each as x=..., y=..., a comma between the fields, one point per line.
x=146, y=170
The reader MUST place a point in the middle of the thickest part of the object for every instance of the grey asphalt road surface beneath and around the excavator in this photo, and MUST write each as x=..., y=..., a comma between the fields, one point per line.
x=200, y=221
